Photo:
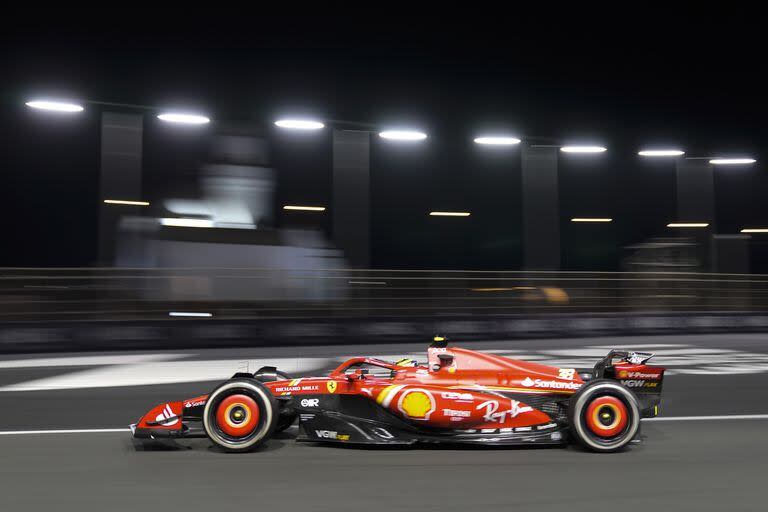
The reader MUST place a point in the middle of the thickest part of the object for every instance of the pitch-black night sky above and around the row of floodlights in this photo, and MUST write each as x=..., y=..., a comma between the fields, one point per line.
x=614, y=75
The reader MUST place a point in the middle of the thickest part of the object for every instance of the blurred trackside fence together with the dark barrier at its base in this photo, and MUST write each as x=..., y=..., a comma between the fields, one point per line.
x=67, y=309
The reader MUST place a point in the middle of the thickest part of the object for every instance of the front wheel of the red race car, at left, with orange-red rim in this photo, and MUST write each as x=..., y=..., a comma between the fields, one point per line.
x=240, y=415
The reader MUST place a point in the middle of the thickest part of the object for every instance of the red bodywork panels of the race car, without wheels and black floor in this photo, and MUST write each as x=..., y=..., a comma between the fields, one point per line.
x=456, y=389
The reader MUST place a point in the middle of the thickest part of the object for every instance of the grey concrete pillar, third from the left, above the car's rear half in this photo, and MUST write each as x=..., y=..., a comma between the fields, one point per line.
x=541, y=212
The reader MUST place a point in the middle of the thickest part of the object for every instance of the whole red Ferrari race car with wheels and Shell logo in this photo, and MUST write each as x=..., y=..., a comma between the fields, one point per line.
x=457, y=396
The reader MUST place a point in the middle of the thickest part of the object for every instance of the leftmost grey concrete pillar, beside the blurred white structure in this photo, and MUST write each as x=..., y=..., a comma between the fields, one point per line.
x=120, y=175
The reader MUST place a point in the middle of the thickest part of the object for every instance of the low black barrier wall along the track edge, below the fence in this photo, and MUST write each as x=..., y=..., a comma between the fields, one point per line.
x=210, y=333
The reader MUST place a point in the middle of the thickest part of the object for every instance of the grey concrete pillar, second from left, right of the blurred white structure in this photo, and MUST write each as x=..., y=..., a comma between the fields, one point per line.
x=351, y=196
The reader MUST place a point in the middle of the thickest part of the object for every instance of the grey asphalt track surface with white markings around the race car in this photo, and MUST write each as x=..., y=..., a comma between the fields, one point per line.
x=706, y=464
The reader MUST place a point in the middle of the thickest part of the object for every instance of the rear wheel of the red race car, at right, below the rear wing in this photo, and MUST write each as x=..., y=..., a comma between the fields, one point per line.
x=604, y=416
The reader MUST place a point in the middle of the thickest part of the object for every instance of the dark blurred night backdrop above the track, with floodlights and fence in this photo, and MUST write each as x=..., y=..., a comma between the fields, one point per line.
x=255, y=231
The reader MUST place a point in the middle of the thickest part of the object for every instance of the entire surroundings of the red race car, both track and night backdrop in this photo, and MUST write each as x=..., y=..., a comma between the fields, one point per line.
x=190, y=190
